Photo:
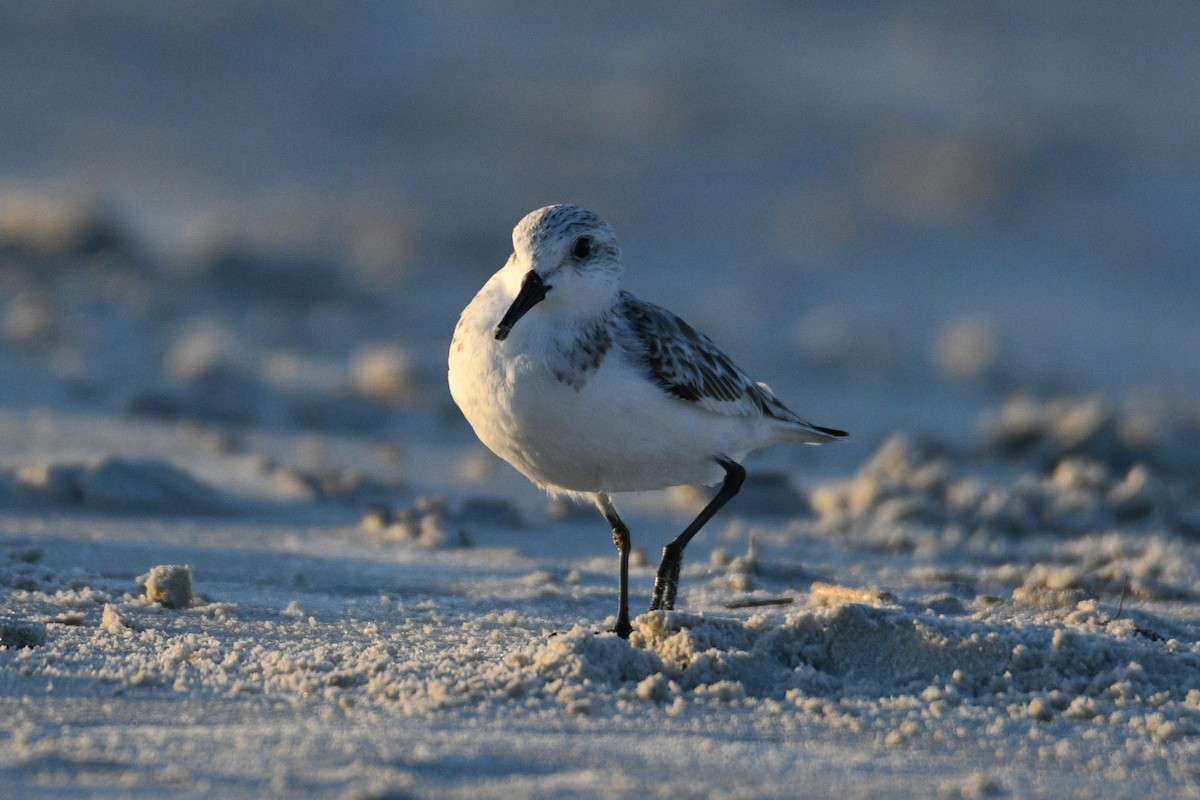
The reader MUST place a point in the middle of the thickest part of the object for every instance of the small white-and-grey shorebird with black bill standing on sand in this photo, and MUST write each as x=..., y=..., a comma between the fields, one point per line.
x=590, y=392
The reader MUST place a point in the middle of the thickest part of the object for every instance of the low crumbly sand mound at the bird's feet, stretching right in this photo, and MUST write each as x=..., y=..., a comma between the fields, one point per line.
x=874, y=653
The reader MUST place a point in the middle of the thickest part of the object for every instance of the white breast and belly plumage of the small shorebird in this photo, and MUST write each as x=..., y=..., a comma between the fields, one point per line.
x=614, y=432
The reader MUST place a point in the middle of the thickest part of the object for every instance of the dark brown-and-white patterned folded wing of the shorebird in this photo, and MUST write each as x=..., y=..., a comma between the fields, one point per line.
x=688, y=366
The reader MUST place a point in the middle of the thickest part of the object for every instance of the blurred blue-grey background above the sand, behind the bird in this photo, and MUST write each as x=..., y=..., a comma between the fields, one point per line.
x=271, y=214
